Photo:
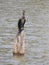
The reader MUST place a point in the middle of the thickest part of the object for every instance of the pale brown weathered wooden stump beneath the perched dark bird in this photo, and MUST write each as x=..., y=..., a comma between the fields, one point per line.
x=19, y=48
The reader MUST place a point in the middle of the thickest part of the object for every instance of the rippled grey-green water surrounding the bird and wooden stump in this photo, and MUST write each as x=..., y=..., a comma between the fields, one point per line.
x=36, y=31
